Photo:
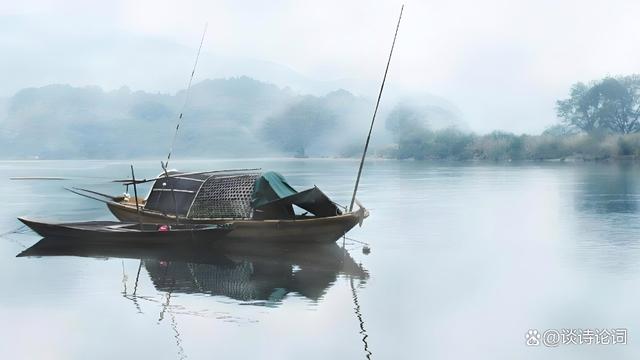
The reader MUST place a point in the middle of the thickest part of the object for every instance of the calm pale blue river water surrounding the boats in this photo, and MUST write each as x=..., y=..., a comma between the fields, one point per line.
x=465, y=259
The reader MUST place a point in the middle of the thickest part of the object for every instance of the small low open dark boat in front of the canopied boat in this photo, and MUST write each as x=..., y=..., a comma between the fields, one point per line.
x=113, y=231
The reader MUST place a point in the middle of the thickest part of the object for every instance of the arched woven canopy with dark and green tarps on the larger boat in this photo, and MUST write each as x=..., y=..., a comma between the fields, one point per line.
x=235, y=194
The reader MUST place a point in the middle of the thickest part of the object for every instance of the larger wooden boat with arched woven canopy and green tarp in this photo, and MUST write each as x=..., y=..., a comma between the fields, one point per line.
x=258, y=206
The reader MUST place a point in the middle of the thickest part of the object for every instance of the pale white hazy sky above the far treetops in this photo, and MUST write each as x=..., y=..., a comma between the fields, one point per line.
x=502, y=63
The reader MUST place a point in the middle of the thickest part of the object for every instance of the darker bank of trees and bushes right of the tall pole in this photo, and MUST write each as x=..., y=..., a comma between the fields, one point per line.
x=599, y=120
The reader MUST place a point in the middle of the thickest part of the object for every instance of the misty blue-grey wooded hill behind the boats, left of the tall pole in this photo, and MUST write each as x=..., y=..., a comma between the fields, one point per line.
x=235, y=117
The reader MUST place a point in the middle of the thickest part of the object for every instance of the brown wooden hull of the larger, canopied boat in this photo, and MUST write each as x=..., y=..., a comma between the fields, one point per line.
x=315, y=230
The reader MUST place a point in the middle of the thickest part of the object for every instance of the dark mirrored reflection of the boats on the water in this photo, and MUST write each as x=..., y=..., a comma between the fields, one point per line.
x=261, y=274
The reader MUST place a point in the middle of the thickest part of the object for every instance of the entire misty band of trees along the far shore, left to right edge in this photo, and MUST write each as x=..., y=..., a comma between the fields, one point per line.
x=244, y=117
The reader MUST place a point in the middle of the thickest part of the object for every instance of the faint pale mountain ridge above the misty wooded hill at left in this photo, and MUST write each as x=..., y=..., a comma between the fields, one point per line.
x=112, y=58
